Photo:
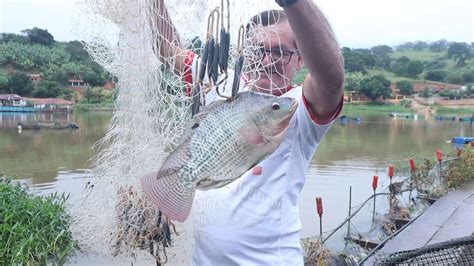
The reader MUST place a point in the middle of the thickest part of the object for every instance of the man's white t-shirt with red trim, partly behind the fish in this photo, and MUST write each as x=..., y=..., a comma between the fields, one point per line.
x=255, y=219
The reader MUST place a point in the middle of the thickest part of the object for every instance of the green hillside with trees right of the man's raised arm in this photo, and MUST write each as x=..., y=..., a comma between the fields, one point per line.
x=440, y=61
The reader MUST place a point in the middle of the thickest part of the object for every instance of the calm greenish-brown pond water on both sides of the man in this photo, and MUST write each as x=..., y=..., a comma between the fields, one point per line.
x=349, y=155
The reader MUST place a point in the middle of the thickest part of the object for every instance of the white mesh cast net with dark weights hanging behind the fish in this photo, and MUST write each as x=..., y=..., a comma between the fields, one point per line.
x=144, y=45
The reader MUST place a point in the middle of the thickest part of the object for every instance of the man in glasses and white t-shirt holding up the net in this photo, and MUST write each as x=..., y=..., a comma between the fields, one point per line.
x=255, y=219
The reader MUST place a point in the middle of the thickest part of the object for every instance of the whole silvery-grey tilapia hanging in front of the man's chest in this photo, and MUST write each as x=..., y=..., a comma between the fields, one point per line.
x=220, y=144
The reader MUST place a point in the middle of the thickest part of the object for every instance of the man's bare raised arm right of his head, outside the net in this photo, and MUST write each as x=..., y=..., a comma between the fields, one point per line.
x=323, y=87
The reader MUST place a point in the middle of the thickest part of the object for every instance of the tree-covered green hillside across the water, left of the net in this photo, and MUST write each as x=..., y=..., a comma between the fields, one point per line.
x=36, y=52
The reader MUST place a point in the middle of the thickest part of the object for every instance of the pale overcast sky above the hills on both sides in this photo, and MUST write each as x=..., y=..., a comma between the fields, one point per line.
x=357, y=23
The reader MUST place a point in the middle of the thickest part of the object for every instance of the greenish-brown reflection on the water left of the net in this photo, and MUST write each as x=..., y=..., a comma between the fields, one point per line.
x=41, y=155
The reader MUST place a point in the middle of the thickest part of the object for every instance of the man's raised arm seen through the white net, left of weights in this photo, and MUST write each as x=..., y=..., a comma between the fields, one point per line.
x=170, y=51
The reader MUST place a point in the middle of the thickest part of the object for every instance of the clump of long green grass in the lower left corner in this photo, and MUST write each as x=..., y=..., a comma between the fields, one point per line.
x=33, y=229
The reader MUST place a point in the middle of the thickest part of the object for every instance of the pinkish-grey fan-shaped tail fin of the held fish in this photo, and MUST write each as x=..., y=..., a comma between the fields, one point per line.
x=169, y=193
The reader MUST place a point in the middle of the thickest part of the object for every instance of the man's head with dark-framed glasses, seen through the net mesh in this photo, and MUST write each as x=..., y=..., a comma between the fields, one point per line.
x=273, y=59
